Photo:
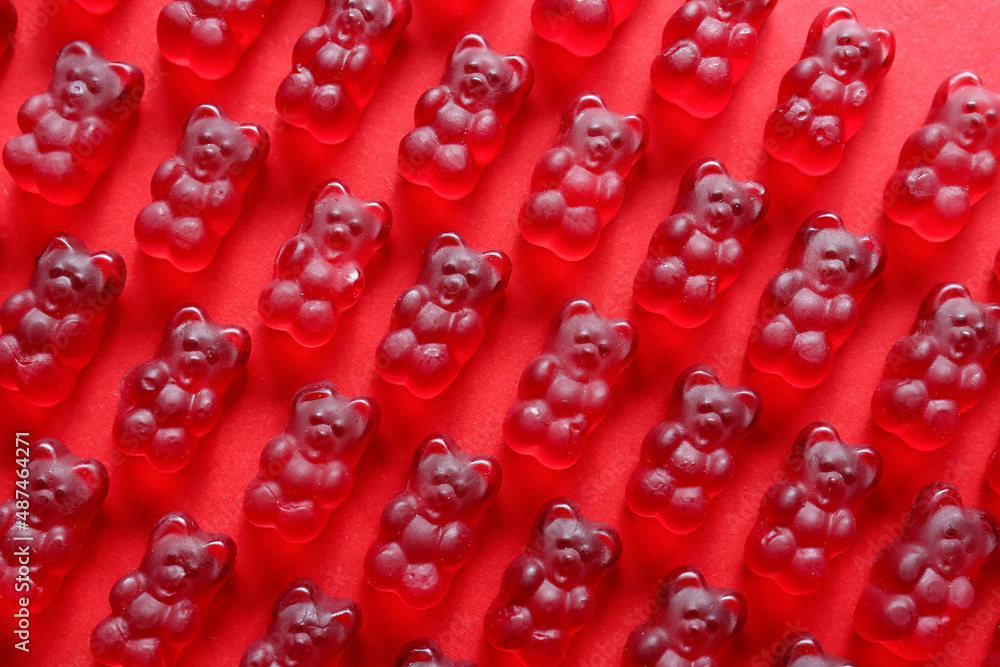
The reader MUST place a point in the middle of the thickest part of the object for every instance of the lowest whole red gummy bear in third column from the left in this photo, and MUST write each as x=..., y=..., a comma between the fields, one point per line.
x=308, y=469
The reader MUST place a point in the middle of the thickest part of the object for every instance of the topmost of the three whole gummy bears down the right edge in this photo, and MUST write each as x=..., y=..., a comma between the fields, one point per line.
x=950, y=163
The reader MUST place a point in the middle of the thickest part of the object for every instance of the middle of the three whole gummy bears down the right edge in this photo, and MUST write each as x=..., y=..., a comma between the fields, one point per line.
x=937, y=372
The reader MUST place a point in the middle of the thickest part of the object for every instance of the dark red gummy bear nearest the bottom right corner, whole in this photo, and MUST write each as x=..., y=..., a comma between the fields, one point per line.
x=920, y=586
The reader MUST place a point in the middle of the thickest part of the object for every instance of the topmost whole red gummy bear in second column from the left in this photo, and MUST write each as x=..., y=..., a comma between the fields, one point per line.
x=198, y=193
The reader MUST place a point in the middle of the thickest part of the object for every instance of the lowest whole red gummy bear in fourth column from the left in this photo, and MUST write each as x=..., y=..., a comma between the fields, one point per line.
x=428, y=532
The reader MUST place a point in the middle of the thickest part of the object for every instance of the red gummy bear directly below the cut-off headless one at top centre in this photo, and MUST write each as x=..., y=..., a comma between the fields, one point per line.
x=579, y=185
